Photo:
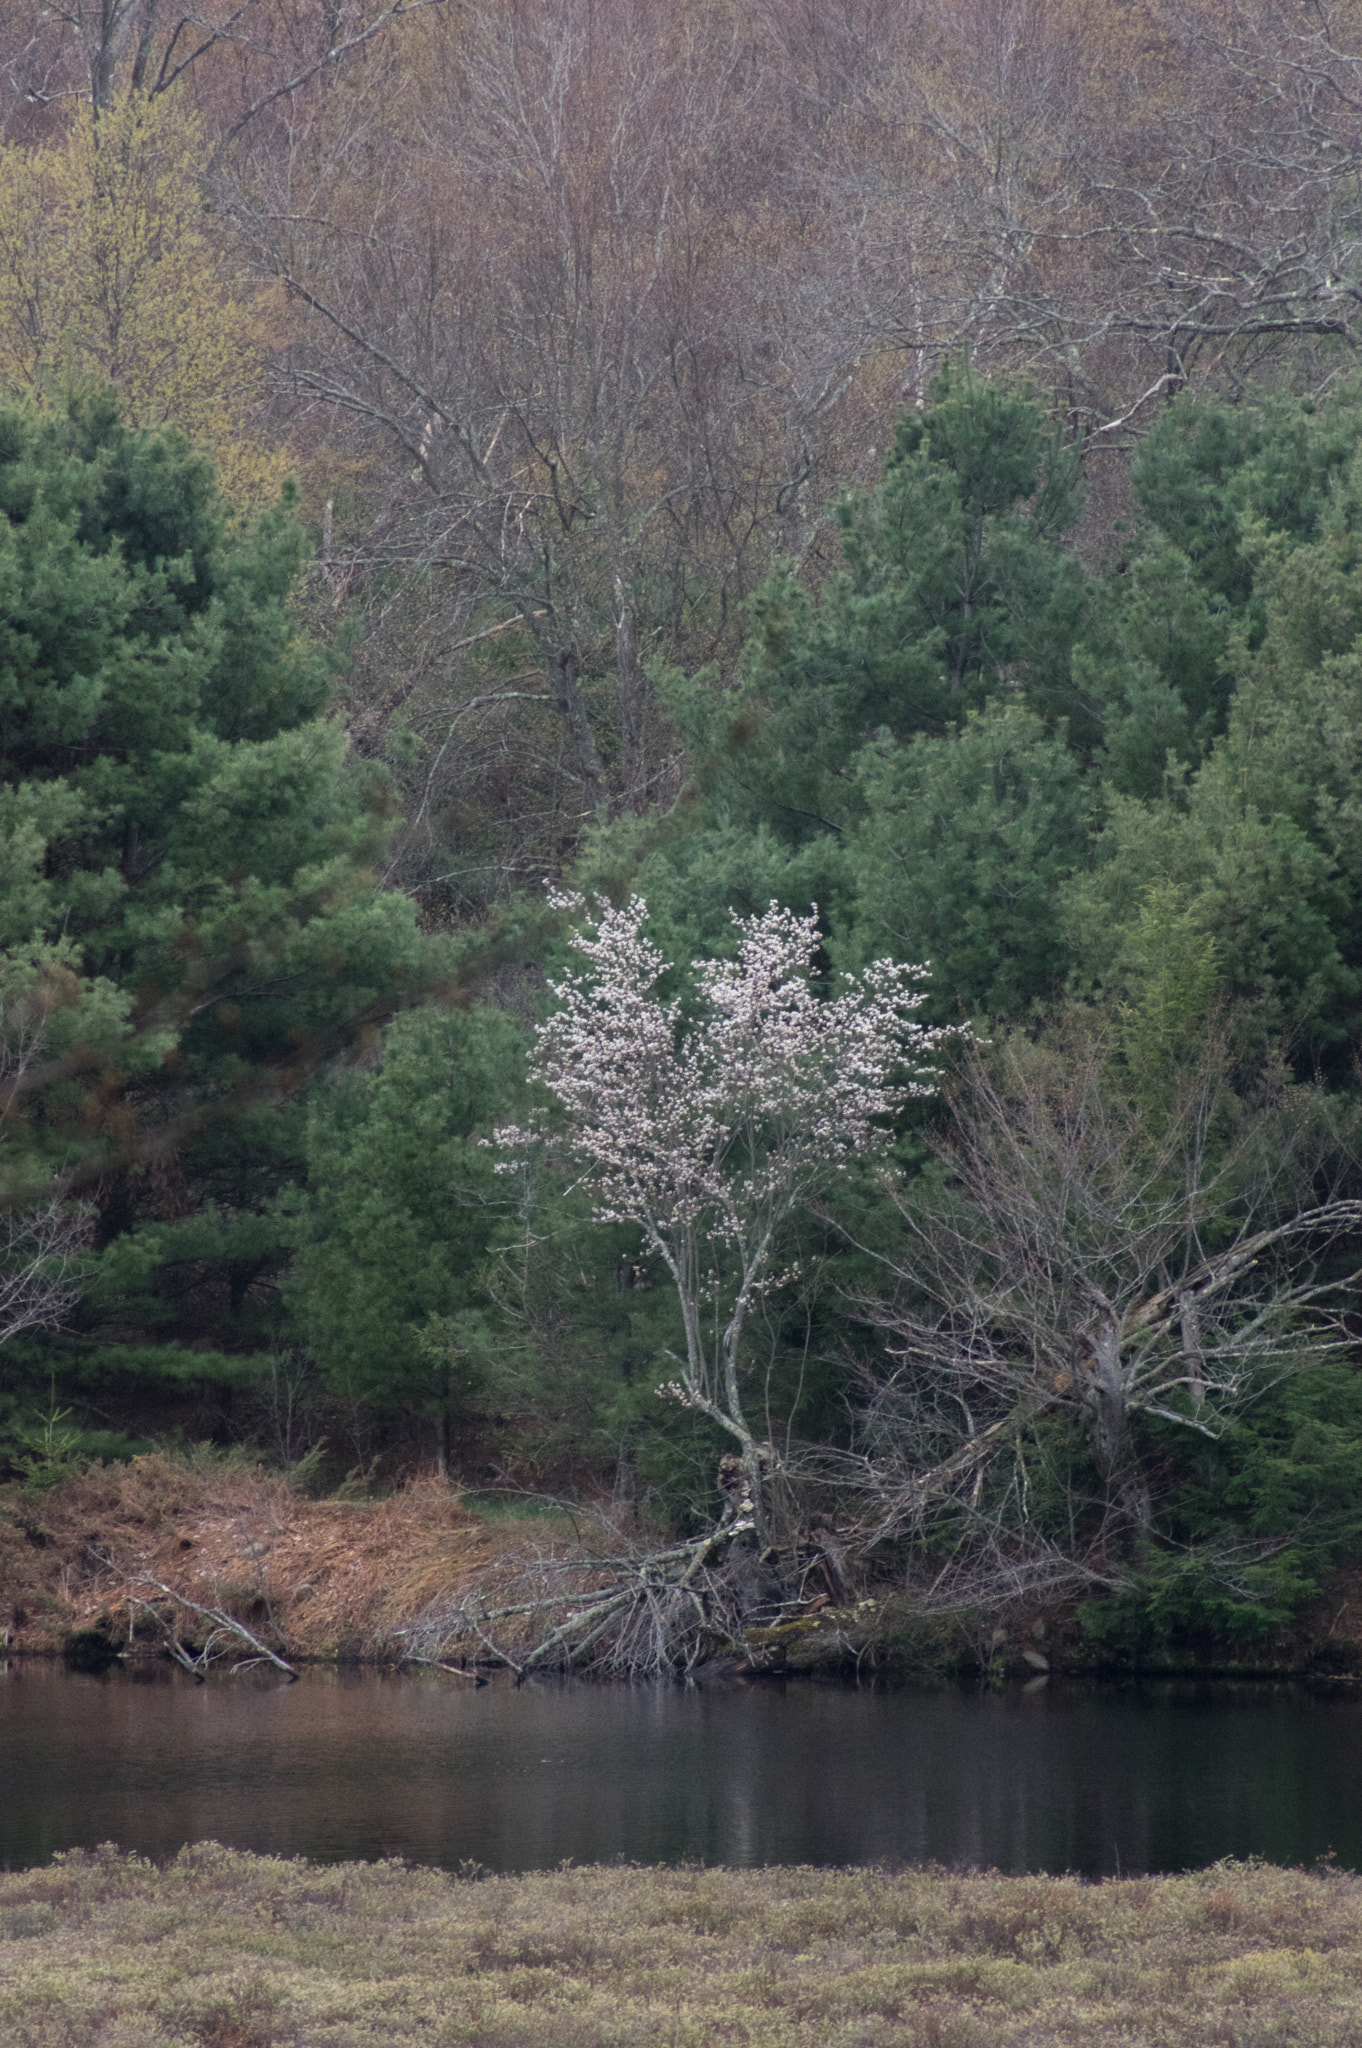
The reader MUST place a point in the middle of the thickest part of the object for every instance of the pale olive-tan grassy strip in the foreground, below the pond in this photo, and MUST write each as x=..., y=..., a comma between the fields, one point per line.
x=228, y=1951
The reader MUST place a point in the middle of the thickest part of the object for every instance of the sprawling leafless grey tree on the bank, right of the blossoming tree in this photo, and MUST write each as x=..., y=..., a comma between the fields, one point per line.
x=1097, y=1256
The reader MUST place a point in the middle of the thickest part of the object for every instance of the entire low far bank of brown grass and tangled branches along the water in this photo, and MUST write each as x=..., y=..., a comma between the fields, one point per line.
x=216, y=1558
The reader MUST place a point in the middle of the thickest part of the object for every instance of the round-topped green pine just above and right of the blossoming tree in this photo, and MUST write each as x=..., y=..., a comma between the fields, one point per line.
x=955, y=589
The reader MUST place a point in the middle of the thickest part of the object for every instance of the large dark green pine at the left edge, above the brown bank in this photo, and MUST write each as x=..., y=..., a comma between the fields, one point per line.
x=189, y=919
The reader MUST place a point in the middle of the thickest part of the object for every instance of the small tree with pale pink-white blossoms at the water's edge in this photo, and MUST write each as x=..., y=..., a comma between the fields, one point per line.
x=710, y=1134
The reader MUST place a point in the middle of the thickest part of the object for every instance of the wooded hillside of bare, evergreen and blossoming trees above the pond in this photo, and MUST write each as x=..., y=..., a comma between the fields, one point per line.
x=681, y=812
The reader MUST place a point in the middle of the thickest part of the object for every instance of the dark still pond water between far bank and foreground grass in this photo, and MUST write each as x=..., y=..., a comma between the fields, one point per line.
x=1095, y=1781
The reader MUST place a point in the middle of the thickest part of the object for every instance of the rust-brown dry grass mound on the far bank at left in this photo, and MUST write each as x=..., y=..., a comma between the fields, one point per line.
x=316, y=1578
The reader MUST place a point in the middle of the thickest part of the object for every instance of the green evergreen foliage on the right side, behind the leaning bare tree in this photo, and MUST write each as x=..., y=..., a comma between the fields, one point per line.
x=1130, y=790
